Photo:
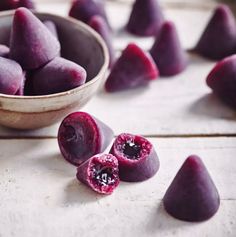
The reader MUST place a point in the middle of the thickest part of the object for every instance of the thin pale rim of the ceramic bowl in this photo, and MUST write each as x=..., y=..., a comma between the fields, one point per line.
x=85, y=27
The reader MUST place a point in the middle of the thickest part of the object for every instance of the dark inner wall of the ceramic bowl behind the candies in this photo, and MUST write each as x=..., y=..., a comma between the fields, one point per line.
x=78, y=44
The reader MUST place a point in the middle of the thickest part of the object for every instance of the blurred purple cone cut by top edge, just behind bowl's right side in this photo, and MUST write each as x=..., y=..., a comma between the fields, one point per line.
x=84, y=10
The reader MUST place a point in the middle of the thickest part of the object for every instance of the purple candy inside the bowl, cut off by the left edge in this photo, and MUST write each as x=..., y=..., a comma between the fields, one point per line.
x=11, y=76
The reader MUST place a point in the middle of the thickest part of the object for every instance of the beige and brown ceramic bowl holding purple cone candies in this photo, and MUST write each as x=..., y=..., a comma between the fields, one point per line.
x=80, y=44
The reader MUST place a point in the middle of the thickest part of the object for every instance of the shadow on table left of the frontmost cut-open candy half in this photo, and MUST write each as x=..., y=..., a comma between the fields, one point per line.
x=78, y=193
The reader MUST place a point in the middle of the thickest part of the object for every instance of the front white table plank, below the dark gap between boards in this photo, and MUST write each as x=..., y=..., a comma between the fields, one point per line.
x=41, y=197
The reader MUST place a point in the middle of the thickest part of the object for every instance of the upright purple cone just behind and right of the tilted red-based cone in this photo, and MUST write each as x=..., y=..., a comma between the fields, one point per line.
x=167, y=52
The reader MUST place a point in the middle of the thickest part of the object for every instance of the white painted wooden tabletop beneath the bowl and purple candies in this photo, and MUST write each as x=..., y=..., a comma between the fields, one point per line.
x=40, y=196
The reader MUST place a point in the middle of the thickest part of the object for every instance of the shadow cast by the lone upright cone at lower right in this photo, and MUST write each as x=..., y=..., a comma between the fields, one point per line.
x=161, y=221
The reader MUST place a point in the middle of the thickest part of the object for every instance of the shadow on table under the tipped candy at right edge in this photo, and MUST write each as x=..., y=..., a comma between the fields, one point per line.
x=210, y=106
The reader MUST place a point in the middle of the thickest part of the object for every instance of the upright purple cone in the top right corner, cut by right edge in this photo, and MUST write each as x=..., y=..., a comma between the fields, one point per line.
x=219, y=38
